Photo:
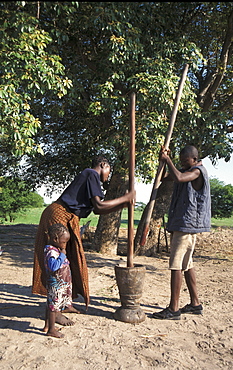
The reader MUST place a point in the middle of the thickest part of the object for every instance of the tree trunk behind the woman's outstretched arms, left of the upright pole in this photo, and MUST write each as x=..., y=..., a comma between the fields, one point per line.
x=106, y=234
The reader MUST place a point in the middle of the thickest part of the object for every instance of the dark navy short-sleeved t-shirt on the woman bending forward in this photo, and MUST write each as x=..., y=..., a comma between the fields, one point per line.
x=77, y=196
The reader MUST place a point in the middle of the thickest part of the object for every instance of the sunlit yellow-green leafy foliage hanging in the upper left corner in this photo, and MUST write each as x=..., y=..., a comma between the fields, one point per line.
x=28, y=70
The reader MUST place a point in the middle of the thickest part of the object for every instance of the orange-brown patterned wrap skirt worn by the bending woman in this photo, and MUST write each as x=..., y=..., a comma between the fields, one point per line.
x=58, y=213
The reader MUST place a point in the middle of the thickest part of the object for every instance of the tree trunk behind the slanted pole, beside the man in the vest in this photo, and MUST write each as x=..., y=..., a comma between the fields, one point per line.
x=161, y=207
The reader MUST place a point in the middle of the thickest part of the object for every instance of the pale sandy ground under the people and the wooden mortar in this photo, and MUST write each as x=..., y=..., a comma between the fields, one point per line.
x=99, y=342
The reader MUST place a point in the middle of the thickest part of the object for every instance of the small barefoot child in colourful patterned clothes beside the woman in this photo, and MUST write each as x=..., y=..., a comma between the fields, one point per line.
x=59, y=283
